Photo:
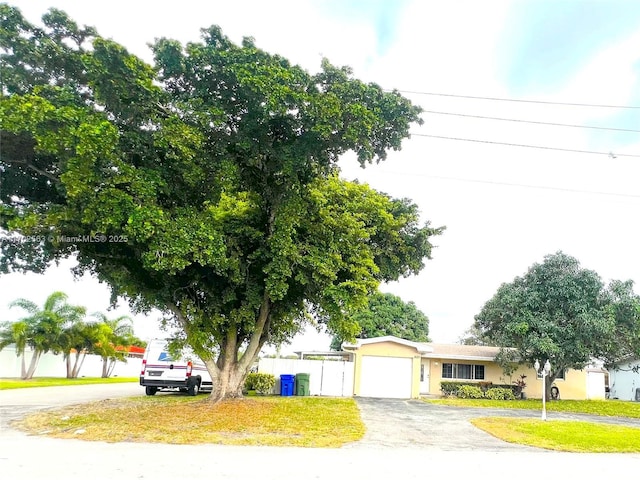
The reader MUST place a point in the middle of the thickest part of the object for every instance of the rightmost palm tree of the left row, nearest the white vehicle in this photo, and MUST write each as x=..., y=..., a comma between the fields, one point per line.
x=114, y=336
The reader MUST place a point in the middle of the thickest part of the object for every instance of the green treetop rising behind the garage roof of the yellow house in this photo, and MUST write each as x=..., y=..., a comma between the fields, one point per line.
x=388, y=314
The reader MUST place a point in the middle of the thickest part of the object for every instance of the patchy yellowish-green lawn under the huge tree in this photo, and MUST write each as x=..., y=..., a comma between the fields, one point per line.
x=275, y=421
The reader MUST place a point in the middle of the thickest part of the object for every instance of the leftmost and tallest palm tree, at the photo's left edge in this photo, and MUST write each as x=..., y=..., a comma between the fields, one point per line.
x=42, y=329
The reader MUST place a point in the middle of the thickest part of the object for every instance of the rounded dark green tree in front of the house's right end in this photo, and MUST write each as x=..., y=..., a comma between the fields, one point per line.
x=561, y=312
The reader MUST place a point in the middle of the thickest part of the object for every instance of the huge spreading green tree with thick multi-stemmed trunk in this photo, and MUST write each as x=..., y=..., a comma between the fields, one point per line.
x=205, y=185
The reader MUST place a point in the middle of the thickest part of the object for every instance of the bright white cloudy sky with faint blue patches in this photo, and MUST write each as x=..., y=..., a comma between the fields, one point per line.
x=504, y=207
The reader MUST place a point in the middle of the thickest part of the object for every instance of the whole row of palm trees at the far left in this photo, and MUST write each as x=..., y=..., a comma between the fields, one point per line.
x=61, y=328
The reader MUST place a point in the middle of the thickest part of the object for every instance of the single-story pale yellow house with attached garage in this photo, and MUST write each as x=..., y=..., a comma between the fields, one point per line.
x=391, y=367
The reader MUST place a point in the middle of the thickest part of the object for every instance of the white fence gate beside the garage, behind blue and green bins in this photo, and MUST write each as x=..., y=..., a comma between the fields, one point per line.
x=327, y=377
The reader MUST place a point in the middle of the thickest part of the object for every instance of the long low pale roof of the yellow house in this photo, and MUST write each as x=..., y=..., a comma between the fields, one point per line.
x=433, y=350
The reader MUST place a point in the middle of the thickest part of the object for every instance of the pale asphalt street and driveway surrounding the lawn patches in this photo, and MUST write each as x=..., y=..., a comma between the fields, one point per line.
x=404, y=439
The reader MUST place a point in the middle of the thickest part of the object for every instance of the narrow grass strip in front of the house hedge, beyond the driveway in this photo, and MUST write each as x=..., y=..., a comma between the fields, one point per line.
x=608, y=408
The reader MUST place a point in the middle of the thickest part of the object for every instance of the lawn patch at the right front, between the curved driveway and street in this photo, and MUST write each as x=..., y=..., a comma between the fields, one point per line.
x=562, y=435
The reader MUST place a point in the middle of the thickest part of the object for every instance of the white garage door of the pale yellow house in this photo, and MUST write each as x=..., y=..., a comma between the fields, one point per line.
x=385, y=377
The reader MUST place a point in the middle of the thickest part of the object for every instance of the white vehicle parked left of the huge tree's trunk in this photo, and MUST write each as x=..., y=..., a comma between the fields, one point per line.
x=160, y=371
